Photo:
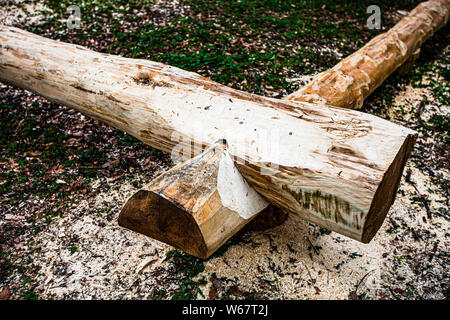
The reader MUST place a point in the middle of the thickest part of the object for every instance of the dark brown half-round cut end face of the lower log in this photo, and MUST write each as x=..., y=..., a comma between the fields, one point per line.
x=154, y=216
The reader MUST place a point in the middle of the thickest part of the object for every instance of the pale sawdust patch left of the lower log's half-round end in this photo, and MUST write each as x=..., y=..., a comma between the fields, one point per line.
x=107, y=258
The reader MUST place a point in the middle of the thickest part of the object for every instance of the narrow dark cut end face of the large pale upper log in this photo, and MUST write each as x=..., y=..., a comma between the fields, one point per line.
x=387, y=190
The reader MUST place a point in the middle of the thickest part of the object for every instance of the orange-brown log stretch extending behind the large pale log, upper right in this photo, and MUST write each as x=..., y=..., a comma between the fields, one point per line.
x=357, y=76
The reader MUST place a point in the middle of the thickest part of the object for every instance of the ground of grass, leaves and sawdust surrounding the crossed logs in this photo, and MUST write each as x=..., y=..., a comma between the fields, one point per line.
x=64, y=177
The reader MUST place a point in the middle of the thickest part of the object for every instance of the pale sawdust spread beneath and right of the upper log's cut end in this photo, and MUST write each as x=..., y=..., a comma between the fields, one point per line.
x=281, y=263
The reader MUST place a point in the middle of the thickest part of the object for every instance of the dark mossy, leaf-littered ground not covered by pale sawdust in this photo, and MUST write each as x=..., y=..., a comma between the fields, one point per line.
x=50, y=155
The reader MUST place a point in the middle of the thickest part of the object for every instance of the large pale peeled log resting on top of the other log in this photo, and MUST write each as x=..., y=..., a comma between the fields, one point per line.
x=334, y=167
